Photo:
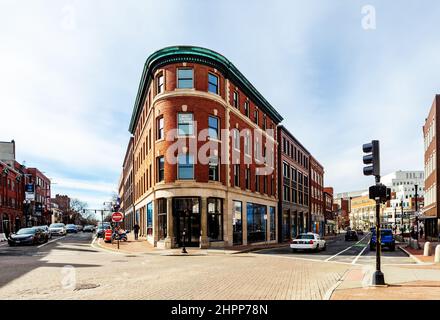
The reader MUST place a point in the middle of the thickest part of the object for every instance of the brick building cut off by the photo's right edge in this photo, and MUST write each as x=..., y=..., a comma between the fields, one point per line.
x=431, y=214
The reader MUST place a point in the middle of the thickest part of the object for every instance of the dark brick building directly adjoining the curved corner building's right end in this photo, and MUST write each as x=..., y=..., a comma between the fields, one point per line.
x=293, y=181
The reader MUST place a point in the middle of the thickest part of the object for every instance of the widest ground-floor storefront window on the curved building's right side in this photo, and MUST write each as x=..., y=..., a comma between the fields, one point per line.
x=256, y=222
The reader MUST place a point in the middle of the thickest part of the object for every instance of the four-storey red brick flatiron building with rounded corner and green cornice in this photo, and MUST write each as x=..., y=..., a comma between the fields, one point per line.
x=219, y=202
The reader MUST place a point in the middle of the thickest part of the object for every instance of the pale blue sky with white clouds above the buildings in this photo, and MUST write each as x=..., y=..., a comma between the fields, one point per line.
x=340, y=72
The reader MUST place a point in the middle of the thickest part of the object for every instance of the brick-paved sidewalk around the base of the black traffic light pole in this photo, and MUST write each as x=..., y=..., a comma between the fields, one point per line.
x=421, y=282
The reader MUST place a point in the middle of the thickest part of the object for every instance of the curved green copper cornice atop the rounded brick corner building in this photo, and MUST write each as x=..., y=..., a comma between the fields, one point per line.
x=176, y=54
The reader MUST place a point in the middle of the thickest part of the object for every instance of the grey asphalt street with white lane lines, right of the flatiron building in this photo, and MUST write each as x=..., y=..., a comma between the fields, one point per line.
x=350, y=252
